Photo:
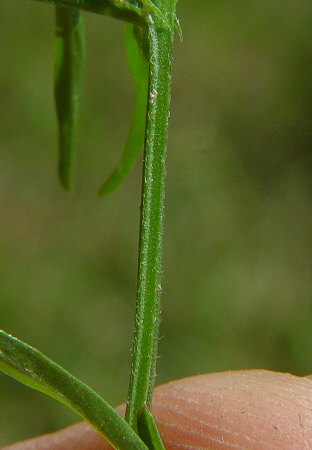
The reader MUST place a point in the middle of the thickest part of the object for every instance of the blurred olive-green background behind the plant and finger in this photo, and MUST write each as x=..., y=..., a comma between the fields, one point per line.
x=237, y=271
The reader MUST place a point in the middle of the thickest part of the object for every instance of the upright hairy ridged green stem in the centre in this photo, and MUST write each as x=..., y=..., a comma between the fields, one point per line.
x=150, y=252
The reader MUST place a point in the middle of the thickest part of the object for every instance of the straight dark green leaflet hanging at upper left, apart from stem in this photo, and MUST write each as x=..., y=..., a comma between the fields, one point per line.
x=69, y=63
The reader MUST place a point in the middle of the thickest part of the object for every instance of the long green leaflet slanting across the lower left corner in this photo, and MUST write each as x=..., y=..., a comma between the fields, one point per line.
x=32, y=368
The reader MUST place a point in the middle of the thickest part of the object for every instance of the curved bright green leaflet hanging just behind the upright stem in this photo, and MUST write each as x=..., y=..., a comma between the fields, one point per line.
x=136, y=45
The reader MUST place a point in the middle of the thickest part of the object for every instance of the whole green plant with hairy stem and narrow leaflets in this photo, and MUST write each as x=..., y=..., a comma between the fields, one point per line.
x=150, y=32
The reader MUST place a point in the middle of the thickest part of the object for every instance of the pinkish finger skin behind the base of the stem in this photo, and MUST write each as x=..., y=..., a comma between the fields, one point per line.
x=252, y=410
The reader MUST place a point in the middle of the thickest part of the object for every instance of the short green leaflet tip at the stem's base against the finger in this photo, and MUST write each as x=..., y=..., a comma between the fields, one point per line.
x=148, y=431
